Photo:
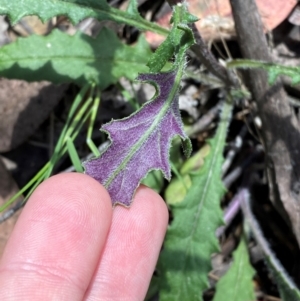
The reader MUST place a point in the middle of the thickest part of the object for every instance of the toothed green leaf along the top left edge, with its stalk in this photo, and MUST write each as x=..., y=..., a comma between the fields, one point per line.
x=77, y=10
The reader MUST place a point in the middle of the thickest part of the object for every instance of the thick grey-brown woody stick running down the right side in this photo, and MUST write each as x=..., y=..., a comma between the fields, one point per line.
x=280, y=129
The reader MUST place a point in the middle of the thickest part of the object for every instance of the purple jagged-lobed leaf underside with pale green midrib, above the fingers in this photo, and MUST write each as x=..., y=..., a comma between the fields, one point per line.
x=140, y=142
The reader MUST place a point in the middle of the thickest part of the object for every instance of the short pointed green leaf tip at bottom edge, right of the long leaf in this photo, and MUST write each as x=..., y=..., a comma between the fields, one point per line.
x=236, y=284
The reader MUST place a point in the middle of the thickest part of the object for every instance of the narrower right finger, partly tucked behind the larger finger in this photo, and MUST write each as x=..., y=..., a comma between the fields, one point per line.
x=131, y=250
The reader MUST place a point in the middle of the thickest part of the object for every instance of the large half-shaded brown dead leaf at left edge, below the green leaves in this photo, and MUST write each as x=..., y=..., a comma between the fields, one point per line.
x=23, y=107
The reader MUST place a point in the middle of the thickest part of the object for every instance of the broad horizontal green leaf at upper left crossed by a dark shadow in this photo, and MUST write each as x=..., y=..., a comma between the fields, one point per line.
x=60, y=58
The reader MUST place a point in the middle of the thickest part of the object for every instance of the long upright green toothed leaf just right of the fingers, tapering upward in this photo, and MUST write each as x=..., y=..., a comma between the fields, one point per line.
x=185, y=260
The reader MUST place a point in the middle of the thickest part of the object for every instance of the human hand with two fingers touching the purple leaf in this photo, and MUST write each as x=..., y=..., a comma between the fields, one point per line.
x=69, y=244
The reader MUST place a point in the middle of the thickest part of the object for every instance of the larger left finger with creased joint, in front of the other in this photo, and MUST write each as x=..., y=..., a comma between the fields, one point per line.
x=57, y=241
